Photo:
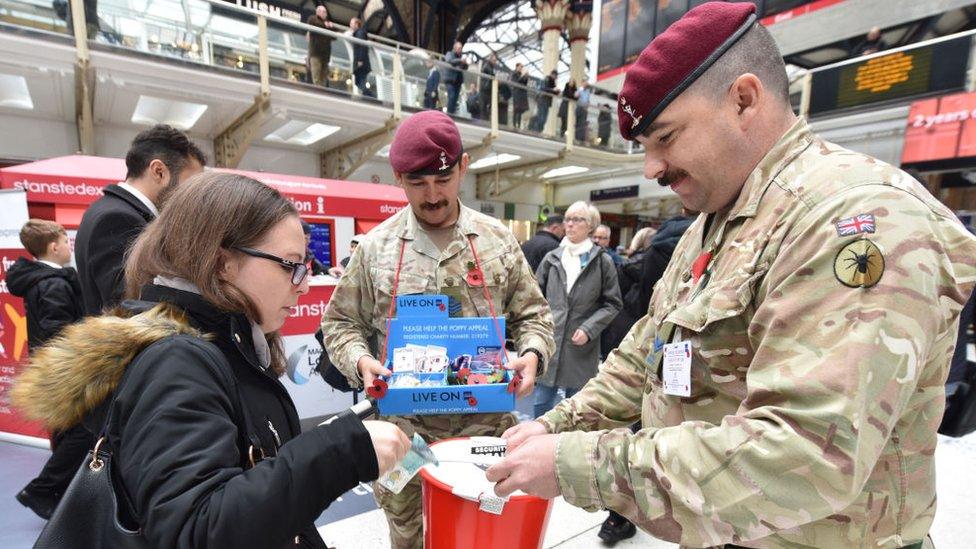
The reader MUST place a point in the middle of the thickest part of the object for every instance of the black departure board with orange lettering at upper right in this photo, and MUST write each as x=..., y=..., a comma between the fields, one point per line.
x=938, y=67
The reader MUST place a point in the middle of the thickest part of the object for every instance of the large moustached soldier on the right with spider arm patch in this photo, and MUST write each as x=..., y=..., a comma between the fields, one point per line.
x=820, y=297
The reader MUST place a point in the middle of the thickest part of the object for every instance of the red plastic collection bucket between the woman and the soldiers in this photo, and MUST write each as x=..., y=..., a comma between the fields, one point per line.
x=453, y=522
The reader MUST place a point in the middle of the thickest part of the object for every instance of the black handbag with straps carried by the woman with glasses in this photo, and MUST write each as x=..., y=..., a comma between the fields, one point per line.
x=88, y=517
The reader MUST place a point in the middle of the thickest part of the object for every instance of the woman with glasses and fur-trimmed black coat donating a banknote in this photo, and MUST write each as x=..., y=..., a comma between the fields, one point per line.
x=206, y=445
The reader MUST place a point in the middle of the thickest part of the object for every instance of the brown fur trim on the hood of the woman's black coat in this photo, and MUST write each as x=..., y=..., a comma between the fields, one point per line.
x=76, y=371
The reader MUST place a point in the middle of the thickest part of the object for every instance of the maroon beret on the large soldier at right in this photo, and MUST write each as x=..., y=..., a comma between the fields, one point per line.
x=676, y=58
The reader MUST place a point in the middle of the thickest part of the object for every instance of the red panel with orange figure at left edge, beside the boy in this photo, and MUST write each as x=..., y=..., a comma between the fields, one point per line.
x=13, y=350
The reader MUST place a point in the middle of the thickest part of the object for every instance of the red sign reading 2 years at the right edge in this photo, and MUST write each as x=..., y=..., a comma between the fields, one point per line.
x=942, y=128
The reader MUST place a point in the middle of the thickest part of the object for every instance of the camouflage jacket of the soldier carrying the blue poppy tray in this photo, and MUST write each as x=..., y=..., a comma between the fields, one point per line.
x=354, y=323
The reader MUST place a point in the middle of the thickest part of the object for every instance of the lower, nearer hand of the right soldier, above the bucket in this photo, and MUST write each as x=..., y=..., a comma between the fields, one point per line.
x=531, y=468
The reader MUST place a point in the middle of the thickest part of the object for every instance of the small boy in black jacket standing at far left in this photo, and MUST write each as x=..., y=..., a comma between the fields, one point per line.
x=52, y=299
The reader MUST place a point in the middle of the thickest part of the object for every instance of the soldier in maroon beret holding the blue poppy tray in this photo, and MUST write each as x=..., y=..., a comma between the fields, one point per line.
x=436, y=235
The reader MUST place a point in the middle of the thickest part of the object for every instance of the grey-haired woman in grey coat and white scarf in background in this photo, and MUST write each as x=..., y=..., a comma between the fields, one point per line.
x=580, y=281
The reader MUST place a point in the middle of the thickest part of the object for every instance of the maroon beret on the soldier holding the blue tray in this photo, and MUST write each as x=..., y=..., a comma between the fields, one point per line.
x=427, y=143
